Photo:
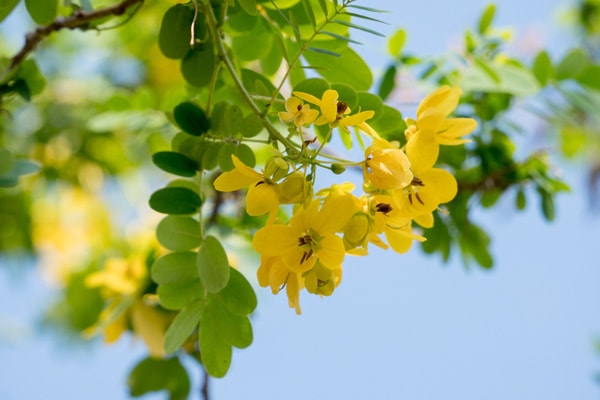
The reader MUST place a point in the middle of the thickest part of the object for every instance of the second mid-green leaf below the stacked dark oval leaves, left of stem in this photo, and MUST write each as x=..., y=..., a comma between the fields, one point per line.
x=174, y=268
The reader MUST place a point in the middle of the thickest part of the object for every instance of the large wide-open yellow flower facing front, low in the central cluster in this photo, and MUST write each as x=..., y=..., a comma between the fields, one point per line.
x=309, y=236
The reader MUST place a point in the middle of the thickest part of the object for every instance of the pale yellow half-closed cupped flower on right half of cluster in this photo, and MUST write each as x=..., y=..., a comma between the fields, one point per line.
x=386, y=166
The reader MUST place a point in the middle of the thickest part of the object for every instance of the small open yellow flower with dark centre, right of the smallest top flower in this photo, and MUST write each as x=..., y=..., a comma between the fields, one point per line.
x=336, y=112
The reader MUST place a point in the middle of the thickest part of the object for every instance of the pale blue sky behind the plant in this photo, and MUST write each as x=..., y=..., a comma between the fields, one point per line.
x=399, y=327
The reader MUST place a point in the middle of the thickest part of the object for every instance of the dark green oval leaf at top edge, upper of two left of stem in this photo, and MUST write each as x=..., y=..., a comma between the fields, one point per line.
x=175, y=35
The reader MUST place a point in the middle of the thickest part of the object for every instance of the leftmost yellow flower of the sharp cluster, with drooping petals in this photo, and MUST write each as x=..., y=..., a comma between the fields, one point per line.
x=262, y=194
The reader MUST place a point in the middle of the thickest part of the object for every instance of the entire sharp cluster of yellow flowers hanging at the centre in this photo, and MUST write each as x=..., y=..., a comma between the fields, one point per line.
x=401, y=185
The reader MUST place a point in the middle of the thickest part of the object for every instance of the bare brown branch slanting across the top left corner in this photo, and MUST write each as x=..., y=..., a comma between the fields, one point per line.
x=77, y=20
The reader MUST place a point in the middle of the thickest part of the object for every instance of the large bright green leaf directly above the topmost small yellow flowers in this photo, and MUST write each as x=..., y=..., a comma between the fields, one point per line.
x=349, y=68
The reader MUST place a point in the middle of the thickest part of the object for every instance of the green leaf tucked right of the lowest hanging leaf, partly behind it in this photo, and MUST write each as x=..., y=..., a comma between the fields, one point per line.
x=235, y=330
